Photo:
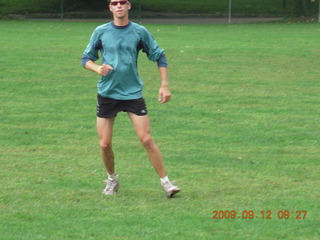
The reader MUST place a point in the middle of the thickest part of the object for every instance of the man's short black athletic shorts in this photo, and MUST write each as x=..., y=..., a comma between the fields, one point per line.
x=108, y=107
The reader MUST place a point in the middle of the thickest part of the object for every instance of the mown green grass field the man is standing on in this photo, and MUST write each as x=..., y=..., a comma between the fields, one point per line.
x=241, y=133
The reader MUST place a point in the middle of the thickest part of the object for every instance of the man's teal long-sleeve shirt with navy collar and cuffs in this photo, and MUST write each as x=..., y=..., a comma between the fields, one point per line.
x=119, y=47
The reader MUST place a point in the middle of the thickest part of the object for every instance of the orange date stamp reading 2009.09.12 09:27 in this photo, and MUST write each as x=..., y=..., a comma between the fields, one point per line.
x=268, y=214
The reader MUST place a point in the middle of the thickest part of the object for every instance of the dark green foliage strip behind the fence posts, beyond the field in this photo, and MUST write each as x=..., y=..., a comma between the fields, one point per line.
x=214, y=7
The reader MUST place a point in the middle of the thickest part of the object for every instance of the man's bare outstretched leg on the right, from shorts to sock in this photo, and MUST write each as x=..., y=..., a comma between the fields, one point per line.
x=143, y=130
